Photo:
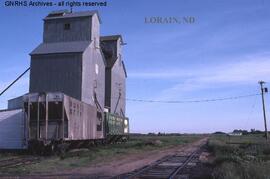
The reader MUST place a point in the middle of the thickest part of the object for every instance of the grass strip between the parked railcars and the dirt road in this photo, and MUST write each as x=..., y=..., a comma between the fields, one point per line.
x=102, y=154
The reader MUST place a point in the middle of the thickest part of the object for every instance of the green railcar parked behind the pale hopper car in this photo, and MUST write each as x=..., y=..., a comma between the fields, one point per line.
x=116, y=125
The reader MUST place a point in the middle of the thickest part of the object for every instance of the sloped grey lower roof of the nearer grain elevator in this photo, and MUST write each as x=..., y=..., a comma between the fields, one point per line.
x=61, y=47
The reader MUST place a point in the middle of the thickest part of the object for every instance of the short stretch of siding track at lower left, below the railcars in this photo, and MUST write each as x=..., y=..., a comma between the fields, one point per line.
x=18, y=161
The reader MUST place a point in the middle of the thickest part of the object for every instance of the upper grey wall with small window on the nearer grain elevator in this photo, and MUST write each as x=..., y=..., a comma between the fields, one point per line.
x=80, y=29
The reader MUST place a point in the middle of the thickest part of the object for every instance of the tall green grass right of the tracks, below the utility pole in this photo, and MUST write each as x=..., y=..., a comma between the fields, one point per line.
x=240, y=157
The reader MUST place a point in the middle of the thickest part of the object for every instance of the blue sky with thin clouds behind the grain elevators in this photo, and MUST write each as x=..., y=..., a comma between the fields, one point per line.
x=224, y=53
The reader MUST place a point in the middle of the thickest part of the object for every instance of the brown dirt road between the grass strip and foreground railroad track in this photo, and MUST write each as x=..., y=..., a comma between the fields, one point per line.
x=131, y=162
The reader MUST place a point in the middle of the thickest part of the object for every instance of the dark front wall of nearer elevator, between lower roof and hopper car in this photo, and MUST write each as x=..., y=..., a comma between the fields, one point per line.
x=57, y=72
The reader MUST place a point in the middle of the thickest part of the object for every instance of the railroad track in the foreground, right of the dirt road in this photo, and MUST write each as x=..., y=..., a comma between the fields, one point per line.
x=169, y=167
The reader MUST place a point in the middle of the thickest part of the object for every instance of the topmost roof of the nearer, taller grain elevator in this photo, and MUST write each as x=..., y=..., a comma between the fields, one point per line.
x=73, y=14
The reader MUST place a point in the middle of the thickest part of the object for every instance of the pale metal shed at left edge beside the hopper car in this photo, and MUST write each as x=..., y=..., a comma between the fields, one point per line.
x=12, y=129
